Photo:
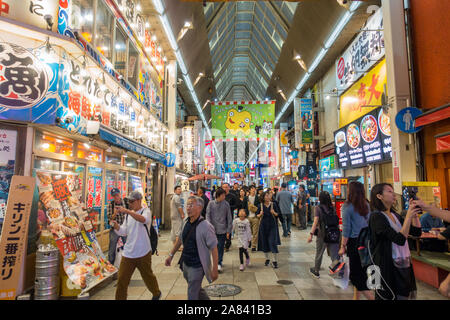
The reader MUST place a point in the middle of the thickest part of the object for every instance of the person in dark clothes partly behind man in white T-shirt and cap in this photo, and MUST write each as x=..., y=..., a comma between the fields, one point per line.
x=113, y=214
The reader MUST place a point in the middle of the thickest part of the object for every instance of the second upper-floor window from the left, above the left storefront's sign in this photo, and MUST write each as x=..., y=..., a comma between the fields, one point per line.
x=103, y=34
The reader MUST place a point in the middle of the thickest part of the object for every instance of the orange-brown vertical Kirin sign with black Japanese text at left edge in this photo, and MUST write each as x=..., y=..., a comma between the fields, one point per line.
x=13, y=239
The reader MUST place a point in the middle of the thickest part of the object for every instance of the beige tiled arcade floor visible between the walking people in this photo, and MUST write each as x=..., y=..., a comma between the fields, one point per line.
x=257, y=281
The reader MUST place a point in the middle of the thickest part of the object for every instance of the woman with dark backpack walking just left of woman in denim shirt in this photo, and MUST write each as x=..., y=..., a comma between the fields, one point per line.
x=325, y=208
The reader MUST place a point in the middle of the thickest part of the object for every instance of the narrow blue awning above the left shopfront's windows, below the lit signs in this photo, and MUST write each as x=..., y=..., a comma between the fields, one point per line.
x=123, y=142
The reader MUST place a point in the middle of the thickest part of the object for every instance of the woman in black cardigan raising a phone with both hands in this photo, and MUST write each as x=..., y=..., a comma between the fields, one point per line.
x=389, y=246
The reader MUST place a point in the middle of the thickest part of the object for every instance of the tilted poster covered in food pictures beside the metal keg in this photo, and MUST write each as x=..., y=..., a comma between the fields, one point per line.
x=60, y=197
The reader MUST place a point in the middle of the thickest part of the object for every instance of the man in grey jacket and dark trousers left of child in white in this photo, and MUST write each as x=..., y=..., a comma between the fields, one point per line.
x=219, y=215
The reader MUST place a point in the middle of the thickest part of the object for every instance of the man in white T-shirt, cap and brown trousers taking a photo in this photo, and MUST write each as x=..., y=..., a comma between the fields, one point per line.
x=137, y=252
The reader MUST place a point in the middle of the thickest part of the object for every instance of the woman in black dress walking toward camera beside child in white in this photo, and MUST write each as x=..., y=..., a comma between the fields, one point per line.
x=268, y=236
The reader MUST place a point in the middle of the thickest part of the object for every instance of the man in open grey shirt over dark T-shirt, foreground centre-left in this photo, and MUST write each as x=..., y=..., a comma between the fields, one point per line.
x=199, y=243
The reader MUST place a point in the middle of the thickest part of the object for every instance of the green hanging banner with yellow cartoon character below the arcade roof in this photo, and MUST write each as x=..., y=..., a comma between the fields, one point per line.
x=243, y=119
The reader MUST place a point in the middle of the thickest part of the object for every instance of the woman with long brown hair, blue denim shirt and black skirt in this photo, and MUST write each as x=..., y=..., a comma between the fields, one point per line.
x=355, y=216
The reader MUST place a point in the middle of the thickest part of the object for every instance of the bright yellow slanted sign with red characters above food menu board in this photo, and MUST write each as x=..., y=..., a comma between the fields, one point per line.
x=366, y=92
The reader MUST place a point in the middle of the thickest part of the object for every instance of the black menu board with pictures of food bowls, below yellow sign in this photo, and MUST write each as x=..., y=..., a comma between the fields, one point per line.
x=364, y=141
